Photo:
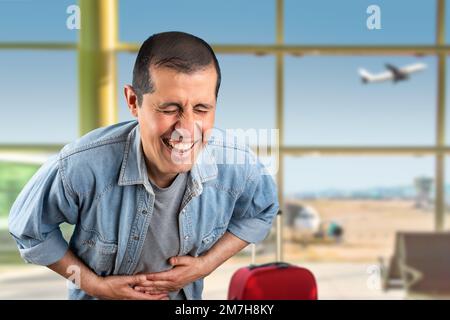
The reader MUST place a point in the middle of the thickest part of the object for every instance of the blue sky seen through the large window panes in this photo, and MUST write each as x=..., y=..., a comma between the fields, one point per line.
x=325, y=102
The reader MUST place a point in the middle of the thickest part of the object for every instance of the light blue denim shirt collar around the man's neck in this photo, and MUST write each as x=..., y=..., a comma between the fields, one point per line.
x=134, y=171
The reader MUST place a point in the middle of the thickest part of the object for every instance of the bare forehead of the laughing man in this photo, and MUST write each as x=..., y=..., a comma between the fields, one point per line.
x=174, y=84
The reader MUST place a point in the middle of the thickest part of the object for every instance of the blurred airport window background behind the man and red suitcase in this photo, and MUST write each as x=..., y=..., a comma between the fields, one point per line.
x=358, y=163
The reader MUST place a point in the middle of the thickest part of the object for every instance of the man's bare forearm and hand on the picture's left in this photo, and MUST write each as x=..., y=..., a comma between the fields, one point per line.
x=112, y=287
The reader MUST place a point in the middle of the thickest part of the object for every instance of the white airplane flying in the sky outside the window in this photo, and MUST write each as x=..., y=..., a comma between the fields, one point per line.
x=393, y=73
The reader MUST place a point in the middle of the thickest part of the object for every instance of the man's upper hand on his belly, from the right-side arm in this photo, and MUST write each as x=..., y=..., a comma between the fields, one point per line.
x=186, y=269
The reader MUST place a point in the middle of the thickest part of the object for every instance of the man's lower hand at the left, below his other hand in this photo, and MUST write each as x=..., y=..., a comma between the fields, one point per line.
x=121, y=288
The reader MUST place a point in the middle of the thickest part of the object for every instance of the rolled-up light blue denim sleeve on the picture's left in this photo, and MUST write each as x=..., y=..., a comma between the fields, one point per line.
x=44, y=203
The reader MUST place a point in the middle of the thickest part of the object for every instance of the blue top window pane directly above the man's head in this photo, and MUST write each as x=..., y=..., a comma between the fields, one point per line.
x=234, y=21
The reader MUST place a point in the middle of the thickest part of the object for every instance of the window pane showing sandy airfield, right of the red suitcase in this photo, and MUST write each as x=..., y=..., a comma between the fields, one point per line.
x=342, y=214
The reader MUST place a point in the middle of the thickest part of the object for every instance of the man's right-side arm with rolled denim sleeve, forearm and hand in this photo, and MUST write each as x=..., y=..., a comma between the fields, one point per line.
x=250, y=223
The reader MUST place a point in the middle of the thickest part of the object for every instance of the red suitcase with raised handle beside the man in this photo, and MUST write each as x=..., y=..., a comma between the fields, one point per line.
x=273, y=281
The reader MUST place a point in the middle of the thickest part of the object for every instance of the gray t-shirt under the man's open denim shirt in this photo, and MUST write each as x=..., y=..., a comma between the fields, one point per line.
x=163, y=239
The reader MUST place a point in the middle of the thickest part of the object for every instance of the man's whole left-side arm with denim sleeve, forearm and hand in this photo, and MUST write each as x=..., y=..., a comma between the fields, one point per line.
x=44, y=203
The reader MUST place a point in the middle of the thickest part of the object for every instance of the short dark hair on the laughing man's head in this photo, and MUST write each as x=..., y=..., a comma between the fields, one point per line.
x=180, y=51
